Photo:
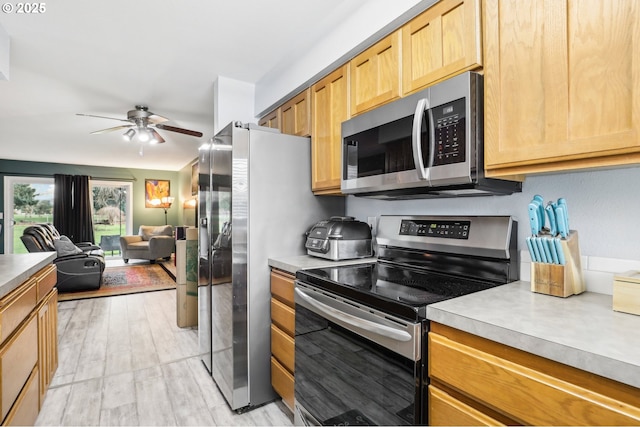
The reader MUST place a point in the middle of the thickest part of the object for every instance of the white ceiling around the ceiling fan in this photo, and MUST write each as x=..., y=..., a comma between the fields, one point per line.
x=104, y=57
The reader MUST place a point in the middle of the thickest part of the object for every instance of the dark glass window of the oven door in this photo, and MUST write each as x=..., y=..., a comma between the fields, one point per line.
x=344, y=379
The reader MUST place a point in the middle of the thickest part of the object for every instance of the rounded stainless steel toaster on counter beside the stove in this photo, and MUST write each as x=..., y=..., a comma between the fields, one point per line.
x=339, y=238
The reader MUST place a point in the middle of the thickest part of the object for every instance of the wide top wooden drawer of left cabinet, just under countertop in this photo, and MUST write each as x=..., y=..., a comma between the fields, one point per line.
x=15, y=307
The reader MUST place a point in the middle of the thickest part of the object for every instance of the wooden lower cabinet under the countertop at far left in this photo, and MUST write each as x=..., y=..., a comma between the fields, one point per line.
x=29, y=347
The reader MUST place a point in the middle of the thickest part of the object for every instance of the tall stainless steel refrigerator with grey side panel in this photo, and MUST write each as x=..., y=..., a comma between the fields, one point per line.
x=255, y=202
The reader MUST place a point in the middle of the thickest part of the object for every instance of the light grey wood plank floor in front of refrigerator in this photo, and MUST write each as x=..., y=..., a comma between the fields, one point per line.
x=124, y=361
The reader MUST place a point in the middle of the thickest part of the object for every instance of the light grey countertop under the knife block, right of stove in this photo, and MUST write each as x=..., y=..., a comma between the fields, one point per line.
x=581, y=331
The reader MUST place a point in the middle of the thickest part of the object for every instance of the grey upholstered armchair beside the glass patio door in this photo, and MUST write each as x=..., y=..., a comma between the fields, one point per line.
x=151, y=243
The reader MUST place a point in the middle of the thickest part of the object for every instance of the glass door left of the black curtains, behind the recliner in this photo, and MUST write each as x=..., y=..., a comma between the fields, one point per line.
x=27, y=201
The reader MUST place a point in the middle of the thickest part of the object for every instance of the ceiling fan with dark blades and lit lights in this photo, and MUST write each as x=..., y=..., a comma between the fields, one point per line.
x=143, y=123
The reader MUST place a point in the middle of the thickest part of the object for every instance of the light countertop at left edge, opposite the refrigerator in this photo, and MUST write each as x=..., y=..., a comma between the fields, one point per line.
x=17, y=268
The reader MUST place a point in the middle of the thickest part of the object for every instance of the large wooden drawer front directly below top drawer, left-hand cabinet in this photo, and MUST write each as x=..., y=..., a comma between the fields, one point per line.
x=18, y=357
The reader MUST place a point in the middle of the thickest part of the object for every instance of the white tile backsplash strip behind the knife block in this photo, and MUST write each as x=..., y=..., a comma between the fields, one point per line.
x=598, y=271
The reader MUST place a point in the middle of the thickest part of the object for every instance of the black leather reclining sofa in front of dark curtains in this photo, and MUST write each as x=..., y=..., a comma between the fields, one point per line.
x=80, y=265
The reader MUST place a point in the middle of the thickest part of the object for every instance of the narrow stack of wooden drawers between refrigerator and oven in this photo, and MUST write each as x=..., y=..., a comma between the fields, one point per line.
x=282, y=335
